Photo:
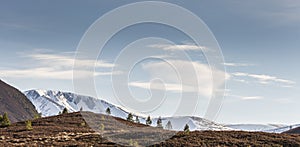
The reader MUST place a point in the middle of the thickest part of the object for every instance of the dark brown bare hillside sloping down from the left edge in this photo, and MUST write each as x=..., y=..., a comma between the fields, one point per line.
x=15, y=103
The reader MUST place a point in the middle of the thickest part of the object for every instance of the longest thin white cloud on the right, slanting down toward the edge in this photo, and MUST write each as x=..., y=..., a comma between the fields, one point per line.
x=264, y=79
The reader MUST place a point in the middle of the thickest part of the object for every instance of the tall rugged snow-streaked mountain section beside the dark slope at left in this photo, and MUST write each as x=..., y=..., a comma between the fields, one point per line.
x=50, y=103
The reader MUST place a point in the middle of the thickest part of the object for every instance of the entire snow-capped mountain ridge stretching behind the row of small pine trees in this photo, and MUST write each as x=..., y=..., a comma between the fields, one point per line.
x=50, y=103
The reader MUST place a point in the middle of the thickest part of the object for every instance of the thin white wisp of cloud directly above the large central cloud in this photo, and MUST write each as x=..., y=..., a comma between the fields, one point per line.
x=185, y=47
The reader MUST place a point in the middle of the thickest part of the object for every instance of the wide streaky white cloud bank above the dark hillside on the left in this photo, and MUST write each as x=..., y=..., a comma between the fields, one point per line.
x=49, y=65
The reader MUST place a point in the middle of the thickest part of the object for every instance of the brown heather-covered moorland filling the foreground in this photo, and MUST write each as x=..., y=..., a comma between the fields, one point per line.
x=72, y=130
